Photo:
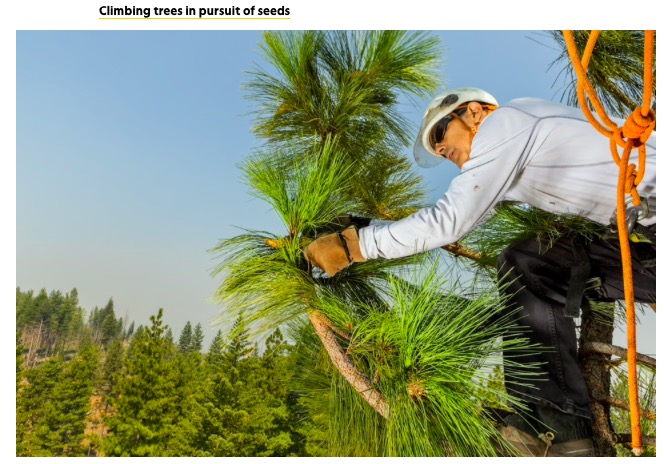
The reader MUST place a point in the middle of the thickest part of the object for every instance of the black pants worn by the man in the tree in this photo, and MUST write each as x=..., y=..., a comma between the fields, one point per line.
x=539, y=282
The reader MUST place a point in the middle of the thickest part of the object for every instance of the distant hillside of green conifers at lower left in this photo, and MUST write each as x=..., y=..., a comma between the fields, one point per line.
x=88, y=384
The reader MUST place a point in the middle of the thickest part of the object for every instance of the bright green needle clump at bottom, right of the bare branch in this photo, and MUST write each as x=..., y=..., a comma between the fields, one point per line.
x=427, y=354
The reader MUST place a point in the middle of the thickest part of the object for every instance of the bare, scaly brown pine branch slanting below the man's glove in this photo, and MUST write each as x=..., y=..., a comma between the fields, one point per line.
x=345, y=365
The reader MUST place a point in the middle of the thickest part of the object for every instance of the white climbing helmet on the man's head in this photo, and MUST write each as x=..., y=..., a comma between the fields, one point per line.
x=441, y=106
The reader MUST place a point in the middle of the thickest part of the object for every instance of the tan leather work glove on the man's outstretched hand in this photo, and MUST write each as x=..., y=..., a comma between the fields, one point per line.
x=335, y=252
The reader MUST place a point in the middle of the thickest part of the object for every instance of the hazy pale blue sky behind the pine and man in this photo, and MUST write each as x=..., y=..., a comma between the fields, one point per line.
x=127, y=144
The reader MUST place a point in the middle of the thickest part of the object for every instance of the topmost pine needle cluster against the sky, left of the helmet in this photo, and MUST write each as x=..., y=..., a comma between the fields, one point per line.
x=340, y=84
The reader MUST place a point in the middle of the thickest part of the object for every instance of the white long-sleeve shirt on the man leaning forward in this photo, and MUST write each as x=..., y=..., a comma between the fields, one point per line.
x=532, y=151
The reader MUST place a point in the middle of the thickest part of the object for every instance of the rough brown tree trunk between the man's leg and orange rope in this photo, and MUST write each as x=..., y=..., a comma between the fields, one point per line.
x=596, y=372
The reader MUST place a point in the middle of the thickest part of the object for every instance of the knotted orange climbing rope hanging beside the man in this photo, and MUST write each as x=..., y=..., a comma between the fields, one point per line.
x=633, y=134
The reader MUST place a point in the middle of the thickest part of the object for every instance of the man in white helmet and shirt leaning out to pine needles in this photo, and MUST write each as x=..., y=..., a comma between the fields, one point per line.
x=548, y=156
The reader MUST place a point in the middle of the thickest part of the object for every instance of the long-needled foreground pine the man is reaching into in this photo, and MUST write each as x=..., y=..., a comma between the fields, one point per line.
x=407, y=347
